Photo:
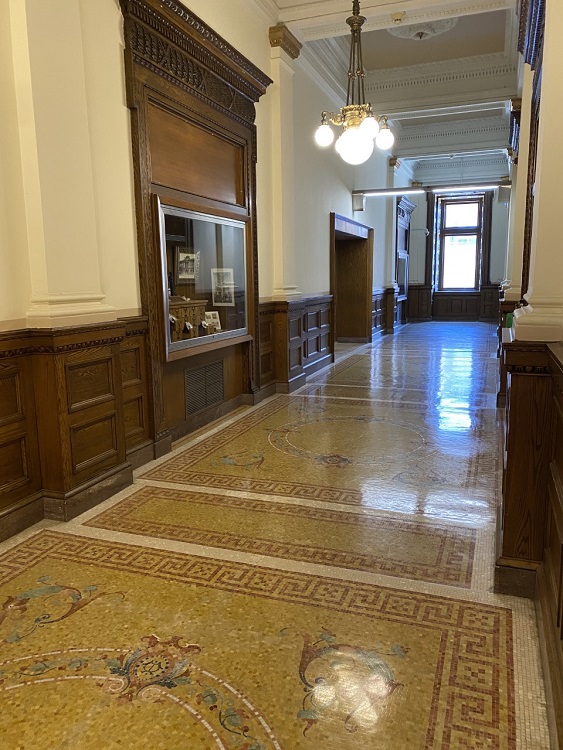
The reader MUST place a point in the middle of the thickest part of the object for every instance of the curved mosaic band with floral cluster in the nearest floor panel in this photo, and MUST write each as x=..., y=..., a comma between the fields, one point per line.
x=155, y=672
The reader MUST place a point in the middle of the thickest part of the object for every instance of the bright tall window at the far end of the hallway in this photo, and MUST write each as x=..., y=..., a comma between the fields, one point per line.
x=459, y=242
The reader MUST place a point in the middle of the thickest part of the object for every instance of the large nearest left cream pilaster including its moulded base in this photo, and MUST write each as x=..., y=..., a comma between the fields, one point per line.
x=57, y=163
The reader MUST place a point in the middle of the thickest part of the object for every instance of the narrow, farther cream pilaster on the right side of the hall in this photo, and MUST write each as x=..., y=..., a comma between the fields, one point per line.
x=519, y=179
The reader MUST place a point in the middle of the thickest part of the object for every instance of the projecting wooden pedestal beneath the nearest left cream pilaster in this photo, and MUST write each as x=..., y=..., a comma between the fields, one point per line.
x=79, y=407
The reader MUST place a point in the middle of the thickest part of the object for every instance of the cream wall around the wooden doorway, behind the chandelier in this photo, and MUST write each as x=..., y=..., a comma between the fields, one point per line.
x=324, y=184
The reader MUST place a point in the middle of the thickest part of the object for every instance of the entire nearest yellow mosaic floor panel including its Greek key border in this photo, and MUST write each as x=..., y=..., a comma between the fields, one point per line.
x=174, y=650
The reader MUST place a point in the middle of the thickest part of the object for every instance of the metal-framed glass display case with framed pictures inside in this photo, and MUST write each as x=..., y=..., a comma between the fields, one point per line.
x=204, y=270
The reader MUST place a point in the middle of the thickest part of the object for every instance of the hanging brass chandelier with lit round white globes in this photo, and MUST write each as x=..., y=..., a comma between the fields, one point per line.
x=361, y=126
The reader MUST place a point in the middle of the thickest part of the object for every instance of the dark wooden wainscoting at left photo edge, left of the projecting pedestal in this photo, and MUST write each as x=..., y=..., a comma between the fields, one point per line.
x=21, y=500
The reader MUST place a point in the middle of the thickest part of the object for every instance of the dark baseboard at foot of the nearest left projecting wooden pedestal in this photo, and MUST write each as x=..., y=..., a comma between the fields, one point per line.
x=72, y=504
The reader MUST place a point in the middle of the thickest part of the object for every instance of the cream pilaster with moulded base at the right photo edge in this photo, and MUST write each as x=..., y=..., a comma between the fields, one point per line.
x=542, y=320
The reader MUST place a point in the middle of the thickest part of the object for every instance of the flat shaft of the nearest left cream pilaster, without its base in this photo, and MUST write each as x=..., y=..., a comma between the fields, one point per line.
x=64, y=151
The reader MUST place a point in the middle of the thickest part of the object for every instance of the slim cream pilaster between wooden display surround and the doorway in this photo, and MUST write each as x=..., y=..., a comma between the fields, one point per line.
x=283, y=196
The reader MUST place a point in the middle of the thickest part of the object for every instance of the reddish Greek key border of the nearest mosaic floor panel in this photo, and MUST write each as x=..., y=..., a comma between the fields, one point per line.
x=463, y=709
